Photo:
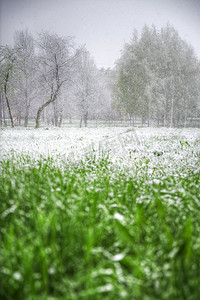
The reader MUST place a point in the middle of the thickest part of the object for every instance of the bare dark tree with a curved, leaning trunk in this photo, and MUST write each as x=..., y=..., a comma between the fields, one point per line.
x=57, y=57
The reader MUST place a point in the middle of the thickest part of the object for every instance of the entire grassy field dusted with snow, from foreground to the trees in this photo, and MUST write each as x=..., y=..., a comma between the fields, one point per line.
x=100, y=214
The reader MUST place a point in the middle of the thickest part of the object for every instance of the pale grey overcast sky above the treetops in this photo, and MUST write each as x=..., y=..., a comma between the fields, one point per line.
x=103, y=25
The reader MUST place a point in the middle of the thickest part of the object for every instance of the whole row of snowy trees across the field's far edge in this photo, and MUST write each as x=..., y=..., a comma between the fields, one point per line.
x=156, y=79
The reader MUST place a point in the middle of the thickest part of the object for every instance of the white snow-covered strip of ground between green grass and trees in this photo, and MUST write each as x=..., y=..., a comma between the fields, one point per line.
x=156, y=149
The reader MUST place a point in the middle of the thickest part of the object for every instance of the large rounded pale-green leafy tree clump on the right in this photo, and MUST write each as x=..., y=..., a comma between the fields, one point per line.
x=157, y=78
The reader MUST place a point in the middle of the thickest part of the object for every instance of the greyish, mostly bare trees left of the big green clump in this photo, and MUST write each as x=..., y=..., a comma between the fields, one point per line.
x=50, y=78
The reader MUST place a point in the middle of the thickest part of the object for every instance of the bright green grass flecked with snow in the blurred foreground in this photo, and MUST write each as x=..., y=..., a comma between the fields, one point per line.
x=87, y=231
